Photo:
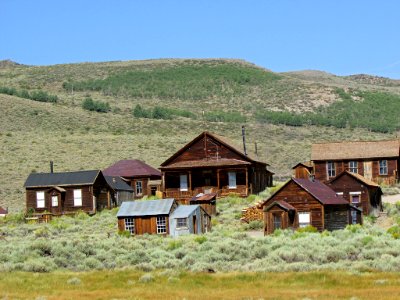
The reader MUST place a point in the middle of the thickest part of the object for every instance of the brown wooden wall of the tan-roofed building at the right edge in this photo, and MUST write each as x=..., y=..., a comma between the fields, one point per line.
x=320, y=170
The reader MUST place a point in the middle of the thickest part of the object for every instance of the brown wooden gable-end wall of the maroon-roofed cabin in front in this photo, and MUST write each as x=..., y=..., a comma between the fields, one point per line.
x=302, y=201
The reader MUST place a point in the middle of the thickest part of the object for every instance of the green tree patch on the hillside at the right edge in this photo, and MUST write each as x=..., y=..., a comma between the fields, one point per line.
x=374, y=111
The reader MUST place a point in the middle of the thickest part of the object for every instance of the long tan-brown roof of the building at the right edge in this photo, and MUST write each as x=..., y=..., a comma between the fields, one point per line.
x=355, y=150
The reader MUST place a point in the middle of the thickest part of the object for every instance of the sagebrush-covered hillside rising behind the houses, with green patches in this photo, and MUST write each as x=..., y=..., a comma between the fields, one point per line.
x=190, y=96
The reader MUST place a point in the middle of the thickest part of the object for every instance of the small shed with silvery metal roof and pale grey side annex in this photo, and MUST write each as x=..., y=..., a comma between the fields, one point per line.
x=164, y=217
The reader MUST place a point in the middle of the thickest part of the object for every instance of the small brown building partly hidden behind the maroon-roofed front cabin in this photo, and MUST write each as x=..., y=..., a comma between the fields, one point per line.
x=359, y=191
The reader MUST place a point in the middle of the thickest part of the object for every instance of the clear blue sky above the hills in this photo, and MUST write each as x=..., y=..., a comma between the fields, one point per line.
x=340, y=37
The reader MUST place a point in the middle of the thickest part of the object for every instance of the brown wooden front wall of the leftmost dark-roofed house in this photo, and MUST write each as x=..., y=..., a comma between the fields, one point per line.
x=66, y=200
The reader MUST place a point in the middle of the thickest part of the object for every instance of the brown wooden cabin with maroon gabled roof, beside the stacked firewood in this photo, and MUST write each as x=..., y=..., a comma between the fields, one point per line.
x=302, y=202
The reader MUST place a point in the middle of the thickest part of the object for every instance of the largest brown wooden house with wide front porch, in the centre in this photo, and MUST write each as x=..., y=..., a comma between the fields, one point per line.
x=209, y=164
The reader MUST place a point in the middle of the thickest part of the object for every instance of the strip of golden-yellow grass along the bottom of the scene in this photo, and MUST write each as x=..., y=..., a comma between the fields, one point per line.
x=130, y=284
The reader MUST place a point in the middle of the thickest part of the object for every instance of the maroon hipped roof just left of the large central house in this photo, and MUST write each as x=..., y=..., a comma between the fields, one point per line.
x=131, y=168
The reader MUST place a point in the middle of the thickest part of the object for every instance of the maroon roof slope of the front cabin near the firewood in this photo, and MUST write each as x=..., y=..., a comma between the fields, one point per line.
x=320, y=191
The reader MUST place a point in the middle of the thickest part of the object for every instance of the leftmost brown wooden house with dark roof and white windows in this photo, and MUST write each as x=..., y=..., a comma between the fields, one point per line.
x=66, y=192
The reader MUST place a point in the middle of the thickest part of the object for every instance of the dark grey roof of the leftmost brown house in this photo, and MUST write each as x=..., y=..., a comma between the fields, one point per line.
x=62, y=179
